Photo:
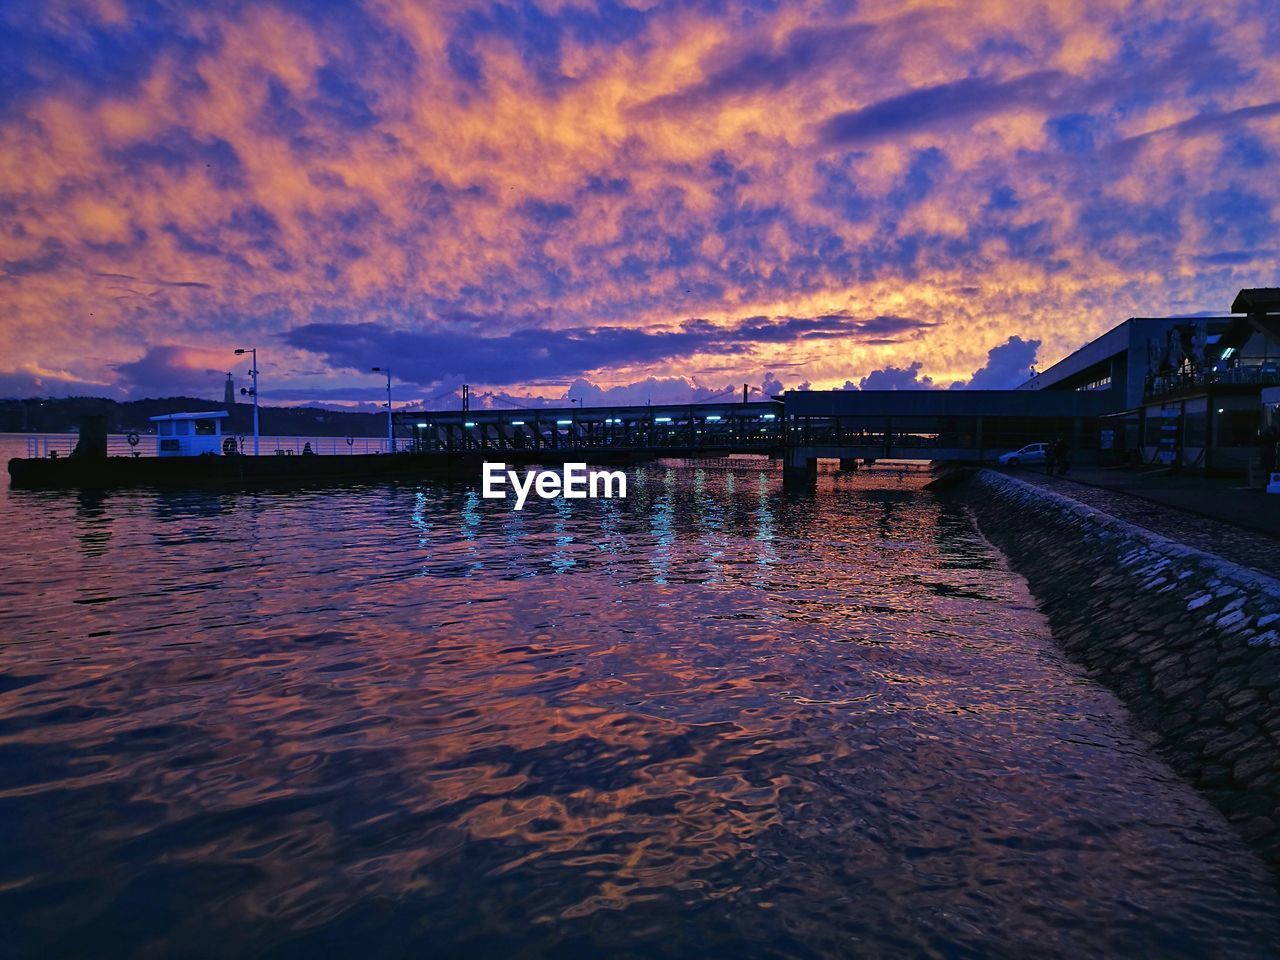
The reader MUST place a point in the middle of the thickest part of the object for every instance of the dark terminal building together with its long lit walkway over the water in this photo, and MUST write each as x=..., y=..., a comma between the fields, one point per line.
x=1181, y=392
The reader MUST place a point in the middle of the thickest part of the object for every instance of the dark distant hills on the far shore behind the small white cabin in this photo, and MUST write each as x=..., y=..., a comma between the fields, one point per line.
x=54, y=415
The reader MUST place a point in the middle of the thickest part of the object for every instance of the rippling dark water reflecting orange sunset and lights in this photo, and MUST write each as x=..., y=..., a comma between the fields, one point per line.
x=711, y=721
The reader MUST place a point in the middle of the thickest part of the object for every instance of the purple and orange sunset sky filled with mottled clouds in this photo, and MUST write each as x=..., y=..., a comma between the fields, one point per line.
x=621, y=202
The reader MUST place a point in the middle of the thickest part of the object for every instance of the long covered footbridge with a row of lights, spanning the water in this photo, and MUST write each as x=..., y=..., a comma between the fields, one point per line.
x=799, y=428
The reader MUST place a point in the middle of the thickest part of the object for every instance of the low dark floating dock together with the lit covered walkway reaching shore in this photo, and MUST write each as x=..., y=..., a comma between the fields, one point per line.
x=797, y=429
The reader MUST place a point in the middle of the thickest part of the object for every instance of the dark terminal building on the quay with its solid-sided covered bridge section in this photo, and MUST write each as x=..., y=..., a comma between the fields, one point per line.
x=1178, y=392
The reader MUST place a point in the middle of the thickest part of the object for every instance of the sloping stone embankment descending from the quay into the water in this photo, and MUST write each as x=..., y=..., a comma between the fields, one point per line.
x=1190, y=642
